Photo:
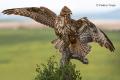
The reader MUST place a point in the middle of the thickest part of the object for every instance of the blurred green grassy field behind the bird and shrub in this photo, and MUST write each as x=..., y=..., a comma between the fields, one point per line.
x=21, y=50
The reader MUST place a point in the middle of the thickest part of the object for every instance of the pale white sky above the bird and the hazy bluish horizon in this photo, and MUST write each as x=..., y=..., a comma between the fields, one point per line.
x=77, y=6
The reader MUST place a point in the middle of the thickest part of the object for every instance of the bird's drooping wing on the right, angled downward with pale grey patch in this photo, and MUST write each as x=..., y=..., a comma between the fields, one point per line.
x=90, y=33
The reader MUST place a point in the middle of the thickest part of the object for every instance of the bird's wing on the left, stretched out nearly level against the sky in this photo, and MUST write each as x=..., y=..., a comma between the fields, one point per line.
x=42, y=14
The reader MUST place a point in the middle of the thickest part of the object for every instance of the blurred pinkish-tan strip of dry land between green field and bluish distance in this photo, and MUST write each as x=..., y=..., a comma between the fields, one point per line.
x=106, y=25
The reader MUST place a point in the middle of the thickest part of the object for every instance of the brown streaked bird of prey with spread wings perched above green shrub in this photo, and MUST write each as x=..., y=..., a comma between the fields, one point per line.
x=73, y=35
